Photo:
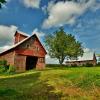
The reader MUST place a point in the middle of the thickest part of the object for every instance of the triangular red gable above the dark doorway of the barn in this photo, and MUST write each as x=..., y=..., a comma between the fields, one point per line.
x=32, y=47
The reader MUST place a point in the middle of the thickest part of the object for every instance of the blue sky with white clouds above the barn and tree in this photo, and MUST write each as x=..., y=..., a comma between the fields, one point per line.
x=81, y=19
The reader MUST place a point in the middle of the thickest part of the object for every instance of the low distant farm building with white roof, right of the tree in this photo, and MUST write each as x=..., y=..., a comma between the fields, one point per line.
x=87, y=58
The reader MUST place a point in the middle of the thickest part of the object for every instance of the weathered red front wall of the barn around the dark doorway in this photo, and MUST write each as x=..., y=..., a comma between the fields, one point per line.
x=34, y=49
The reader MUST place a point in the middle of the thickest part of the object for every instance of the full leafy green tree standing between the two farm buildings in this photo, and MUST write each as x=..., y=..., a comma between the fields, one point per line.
x=61, y=45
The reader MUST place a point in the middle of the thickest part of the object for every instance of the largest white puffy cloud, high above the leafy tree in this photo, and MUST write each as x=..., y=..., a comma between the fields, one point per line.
x=67, y=12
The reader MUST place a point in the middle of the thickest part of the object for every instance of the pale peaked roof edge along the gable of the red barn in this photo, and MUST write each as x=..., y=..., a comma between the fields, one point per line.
x=19, y=43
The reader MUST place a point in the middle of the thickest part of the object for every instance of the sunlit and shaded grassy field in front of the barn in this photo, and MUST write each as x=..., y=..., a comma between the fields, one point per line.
x=57, y=83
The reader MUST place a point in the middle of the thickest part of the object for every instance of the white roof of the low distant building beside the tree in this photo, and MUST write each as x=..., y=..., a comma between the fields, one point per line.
x=86, y=56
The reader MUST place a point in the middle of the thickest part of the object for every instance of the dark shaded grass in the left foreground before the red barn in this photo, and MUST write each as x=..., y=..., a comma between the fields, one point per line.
x=27, y=87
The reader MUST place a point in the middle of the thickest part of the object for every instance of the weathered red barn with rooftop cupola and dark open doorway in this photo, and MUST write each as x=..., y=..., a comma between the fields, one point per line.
x=26, y=53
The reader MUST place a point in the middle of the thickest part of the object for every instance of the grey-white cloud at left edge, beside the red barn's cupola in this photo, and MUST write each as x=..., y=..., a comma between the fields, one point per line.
x=6, y=36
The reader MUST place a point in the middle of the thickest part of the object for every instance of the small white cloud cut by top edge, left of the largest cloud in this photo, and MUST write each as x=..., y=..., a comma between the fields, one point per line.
x=32, y=3
